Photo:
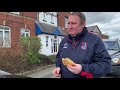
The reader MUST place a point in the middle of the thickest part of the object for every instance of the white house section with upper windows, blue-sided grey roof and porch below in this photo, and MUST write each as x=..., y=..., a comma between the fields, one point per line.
x=47, y=29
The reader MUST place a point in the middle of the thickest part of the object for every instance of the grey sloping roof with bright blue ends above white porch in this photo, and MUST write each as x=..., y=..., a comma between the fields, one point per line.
x=48, y=29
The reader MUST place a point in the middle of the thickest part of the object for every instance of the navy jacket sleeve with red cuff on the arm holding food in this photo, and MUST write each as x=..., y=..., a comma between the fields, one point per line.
x=101, y=63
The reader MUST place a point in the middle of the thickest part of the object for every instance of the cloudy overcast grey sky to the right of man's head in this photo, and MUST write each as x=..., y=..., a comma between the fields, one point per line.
x=108, y=22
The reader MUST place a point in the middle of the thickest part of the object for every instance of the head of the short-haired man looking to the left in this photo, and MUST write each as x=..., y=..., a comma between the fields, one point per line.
x=76, y=23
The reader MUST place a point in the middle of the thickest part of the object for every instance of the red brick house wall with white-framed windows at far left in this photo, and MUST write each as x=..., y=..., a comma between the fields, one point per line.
x=14, y=25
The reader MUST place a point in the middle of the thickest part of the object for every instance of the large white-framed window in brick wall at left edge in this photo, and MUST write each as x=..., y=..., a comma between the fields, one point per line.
x=5, y=36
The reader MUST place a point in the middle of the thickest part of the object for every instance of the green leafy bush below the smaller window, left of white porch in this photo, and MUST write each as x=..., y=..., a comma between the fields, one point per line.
x=29, y=49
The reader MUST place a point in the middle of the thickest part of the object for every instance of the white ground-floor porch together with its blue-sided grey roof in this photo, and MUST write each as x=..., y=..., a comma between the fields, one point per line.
x=50, y=36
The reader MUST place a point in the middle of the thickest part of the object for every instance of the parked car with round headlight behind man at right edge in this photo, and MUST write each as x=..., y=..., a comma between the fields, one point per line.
x=113, y=47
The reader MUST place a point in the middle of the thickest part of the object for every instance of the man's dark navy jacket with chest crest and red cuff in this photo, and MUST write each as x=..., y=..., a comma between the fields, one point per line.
x=89, y=51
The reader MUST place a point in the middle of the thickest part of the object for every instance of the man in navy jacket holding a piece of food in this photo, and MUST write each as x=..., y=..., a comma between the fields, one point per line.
x=85, y=49
